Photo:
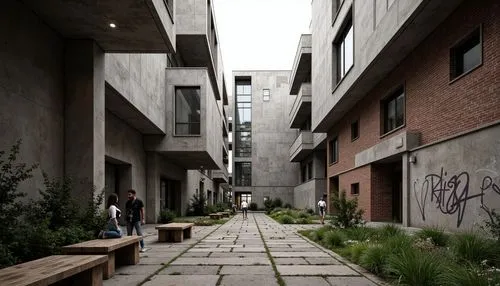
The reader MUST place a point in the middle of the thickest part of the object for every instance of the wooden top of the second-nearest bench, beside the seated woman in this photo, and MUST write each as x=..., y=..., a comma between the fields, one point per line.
x=100, y=245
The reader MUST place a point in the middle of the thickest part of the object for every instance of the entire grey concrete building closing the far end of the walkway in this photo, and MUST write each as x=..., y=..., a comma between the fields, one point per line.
x=262, y=138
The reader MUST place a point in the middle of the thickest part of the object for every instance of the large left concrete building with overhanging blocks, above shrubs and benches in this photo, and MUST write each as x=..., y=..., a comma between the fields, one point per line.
x=117, y=95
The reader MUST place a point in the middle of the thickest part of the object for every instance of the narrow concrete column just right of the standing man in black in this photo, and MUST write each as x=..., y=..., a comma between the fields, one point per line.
x=152, y=187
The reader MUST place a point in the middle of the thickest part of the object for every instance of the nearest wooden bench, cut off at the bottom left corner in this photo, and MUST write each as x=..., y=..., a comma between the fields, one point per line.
x=61, y=269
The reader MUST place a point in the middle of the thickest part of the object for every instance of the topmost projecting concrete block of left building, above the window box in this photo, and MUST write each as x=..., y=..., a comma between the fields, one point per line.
x=196, y=38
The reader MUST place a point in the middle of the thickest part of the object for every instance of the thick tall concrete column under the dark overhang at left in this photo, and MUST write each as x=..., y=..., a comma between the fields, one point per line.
x=84, y=116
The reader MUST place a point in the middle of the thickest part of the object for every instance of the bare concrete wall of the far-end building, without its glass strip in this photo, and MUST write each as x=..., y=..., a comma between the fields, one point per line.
x=273, y=176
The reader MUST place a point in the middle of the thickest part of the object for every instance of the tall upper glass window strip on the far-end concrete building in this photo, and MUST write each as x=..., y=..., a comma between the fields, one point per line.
x=243, y=120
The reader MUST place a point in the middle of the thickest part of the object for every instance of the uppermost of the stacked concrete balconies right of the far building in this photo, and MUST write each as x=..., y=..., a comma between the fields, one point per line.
x=301, y=69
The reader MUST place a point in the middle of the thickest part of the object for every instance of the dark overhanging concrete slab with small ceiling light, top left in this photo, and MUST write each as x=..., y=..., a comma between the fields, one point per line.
x=141, y=26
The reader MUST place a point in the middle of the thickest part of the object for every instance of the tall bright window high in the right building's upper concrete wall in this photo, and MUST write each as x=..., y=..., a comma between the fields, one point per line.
x=344, y=48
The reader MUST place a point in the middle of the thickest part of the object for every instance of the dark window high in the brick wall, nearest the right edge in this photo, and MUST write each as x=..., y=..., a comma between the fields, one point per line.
x=462, y=46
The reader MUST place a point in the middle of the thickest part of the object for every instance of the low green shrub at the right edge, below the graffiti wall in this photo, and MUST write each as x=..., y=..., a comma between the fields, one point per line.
x=474, y=248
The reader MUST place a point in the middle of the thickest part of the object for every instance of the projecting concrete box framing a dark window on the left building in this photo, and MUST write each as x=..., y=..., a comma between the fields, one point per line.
x=203, y=149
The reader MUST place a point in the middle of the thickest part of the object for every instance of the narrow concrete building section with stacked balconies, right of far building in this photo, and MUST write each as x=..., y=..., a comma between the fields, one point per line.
x=308, y=149
